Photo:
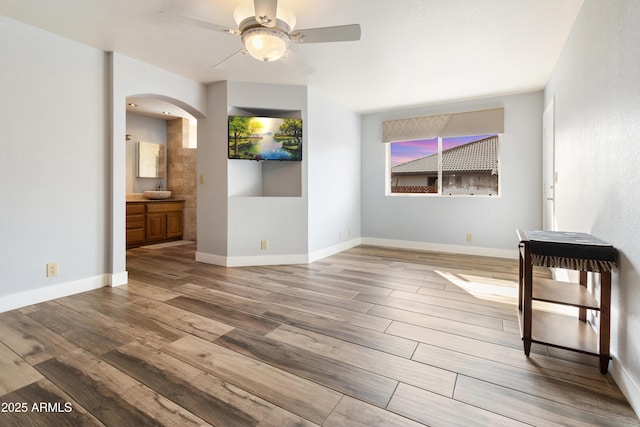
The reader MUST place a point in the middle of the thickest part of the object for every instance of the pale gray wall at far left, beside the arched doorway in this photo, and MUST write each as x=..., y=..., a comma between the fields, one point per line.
x=54, y=164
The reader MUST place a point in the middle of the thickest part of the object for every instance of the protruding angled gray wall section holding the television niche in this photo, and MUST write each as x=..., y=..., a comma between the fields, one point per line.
x=302, y=217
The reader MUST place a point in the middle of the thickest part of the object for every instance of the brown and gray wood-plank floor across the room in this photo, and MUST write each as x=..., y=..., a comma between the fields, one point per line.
x=368, y=337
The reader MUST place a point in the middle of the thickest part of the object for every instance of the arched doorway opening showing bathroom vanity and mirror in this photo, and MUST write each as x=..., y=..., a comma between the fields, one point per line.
x=156, y=121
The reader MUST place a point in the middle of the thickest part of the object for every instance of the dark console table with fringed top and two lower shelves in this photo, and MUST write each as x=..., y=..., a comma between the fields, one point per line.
x=574, y=251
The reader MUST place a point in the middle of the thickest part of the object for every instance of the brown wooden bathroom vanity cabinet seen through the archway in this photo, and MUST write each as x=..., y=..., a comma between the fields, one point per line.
x=150, y=221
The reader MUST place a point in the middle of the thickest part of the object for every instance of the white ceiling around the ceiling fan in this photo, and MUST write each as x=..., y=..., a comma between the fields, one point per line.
x=412, y=52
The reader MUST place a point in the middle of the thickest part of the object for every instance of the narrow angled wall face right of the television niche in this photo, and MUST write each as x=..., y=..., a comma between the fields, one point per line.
x=334, y=158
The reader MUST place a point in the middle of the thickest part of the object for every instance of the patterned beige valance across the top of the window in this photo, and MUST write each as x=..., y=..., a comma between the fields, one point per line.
x=481, y=122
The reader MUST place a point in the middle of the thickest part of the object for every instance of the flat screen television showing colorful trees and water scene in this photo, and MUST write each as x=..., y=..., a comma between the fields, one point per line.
x=265, y=138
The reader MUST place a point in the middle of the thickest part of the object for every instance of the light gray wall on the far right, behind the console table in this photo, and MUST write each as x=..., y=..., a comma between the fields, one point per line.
x=597, y=123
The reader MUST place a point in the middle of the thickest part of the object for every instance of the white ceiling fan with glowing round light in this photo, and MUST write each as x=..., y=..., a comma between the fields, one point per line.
x=267, y=30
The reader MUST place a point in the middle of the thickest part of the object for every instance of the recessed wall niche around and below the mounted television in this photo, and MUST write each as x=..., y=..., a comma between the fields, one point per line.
x=265, y=178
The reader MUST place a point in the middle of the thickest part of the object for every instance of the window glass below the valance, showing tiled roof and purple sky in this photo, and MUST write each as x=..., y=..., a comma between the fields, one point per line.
x=468, y=165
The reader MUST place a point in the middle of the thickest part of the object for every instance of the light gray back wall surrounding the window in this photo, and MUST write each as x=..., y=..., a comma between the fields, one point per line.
x=443, y=222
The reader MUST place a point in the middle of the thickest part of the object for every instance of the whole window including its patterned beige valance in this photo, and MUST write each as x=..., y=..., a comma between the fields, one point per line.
x=445, y=154
